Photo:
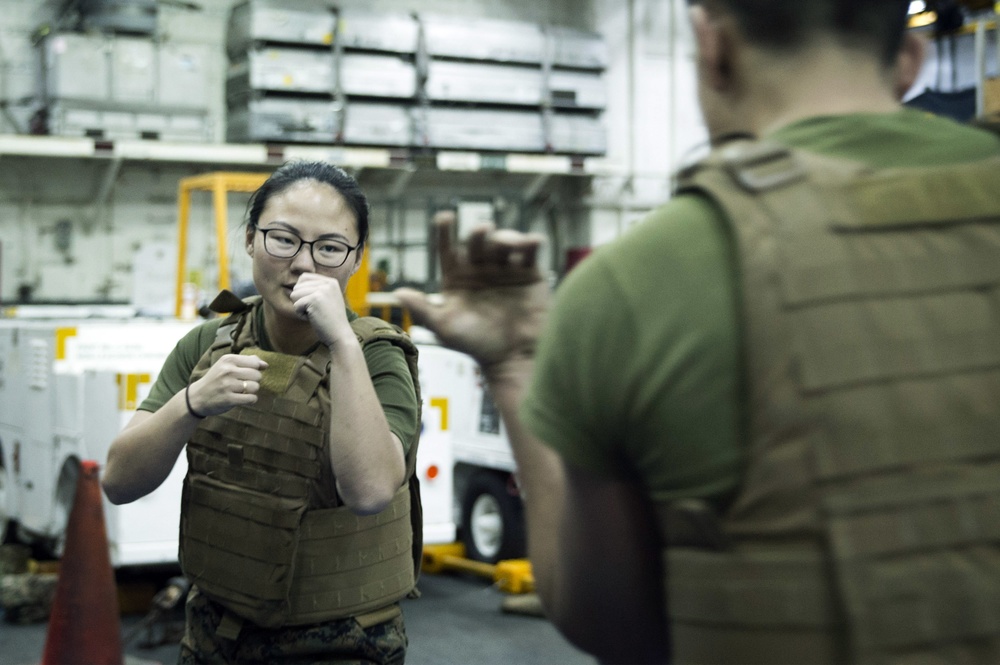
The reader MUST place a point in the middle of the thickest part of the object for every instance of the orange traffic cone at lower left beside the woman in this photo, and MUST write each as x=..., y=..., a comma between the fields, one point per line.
x=85, y=624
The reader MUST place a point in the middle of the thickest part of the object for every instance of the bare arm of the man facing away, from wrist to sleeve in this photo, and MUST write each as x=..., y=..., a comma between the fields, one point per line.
x=596, y=568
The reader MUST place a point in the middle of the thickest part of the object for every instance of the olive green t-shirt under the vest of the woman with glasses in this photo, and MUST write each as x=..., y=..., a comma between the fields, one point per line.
x=386, y=366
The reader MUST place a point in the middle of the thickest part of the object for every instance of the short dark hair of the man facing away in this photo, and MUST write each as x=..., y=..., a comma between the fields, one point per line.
x=786, y=25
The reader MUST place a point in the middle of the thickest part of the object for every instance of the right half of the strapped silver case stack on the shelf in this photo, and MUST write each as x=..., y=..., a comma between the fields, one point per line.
x=513, y=86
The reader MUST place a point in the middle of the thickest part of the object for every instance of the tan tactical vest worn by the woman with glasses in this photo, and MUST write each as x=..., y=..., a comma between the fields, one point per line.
x=262, y=531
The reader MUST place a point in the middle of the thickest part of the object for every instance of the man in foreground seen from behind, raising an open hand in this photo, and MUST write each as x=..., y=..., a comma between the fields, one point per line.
x=763, y=426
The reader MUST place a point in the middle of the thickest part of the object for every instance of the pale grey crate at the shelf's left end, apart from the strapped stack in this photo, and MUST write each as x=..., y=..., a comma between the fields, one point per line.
x=114, y=86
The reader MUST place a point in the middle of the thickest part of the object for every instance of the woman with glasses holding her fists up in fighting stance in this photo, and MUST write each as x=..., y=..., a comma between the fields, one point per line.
x=300, y=421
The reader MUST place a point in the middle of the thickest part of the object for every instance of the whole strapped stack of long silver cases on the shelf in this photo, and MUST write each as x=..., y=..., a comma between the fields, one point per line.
x=356, y=77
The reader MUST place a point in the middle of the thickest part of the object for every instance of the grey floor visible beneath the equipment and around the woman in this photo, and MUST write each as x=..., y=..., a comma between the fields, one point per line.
x=457, y=621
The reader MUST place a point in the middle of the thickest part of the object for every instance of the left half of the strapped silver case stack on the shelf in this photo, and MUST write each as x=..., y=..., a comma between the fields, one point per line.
x=307, y=74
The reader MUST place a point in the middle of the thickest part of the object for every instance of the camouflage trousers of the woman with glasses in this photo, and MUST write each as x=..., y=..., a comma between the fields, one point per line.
x=341, y=641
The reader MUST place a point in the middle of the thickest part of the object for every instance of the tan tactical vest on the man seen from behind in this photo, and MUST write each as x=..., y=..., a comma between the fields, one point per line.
x=867, y=528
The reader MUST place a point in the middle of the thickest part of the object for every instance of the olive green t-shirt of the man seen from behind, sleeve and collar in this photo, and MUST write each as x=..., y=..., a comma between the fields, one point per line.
x=637, y=372
